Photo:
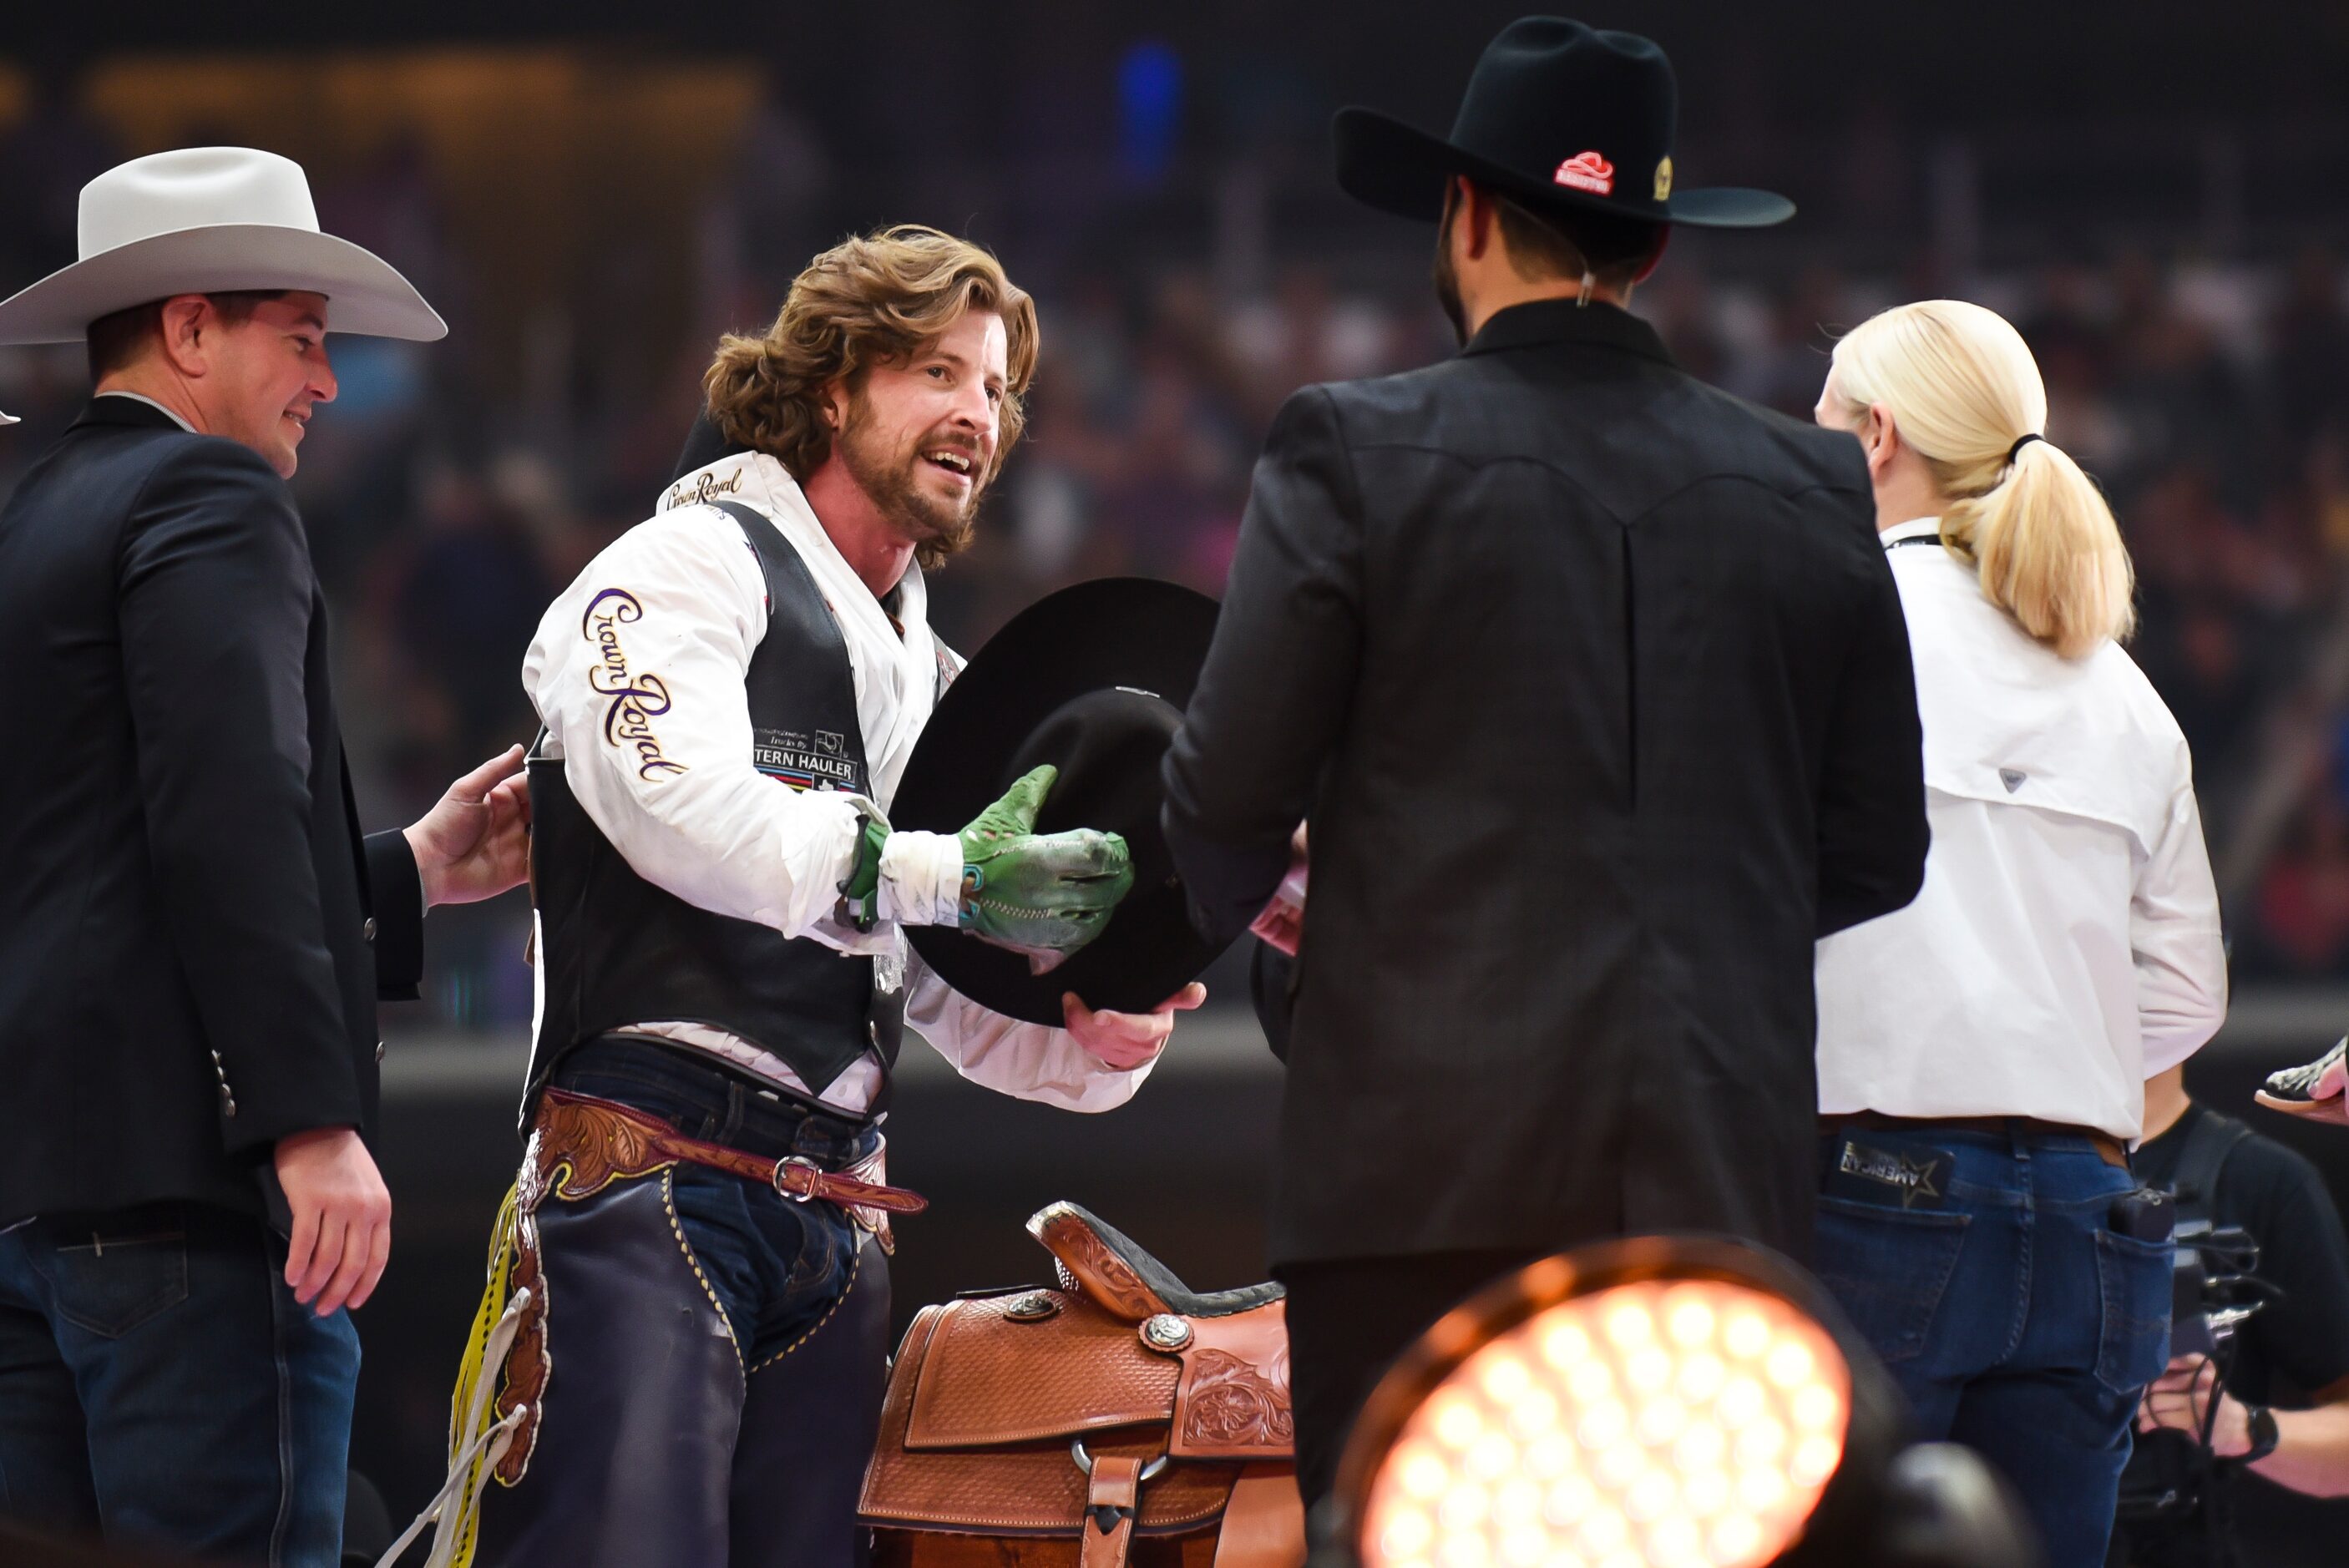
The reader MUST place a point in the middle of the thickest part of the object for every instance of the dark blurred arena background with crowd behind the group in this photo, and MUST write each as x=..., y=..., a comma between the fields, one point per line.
x=591, y=194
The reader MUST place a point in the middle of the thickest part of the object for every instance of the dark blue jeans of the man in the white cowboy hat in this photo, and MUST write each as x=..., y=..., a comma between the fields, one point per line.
x=159, y=1384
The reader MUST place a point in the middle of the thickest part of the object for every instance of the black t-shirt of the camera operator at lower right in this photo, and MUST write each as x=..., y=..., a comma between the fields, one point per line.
x=2298, y=1344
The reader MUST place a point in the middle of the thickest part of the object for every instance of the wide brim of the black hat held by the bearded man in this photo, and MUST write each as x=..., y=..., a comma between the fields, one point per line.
x=1117, y=633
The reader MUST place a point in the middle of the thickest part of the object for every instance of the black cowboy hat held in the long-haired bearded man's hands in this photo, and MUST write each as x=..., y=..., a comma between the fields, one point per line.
x=1093, y=682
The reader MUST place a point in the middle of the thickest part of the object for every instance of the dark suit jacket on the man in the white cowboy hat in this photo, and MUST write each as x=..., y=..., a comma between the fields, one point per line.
x=191, y=931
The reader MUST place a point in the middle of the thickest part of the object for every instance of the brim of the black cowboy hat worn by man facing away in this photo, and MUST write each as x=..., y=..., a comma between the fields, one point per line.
x=1401, y=170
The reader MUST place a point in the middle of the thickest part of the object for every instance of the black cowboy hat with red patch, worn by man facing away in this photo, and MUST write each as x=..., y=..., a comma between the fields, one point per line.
x=1559, y=119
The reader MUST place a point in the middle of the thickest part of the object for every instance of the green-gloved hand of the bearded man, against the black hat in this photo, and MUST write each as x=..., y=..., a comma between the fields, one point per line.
x=1044, y=895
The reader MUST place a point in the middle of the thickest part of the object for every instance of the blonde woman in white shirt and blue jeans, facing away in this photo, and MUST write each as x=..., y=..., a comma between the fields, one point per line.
x=1984, y=1053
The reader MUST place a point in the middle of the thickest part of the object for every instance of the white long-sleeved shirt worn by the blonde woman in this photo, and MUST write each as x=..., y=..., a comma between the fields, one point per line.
x=2066, y=945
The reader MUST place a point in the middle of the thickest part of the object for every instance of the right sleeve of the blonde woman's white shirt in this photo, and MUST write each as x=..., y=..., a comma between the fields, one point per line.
x=2174, y=935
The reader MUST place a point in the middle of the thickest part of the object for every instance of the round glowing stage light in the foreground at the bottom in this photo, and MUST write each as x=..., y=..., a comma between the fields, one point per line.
x=1650, y=1405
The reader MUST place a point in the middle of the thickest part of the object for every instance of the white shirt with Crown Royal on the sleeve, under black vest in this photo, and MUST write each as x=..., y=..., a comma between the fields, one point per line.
x=715, y=832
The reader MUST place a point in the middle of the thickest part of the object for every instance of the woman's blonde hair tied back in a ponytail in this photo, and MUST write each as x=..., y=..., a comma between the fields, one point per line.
x=1963, y=391
